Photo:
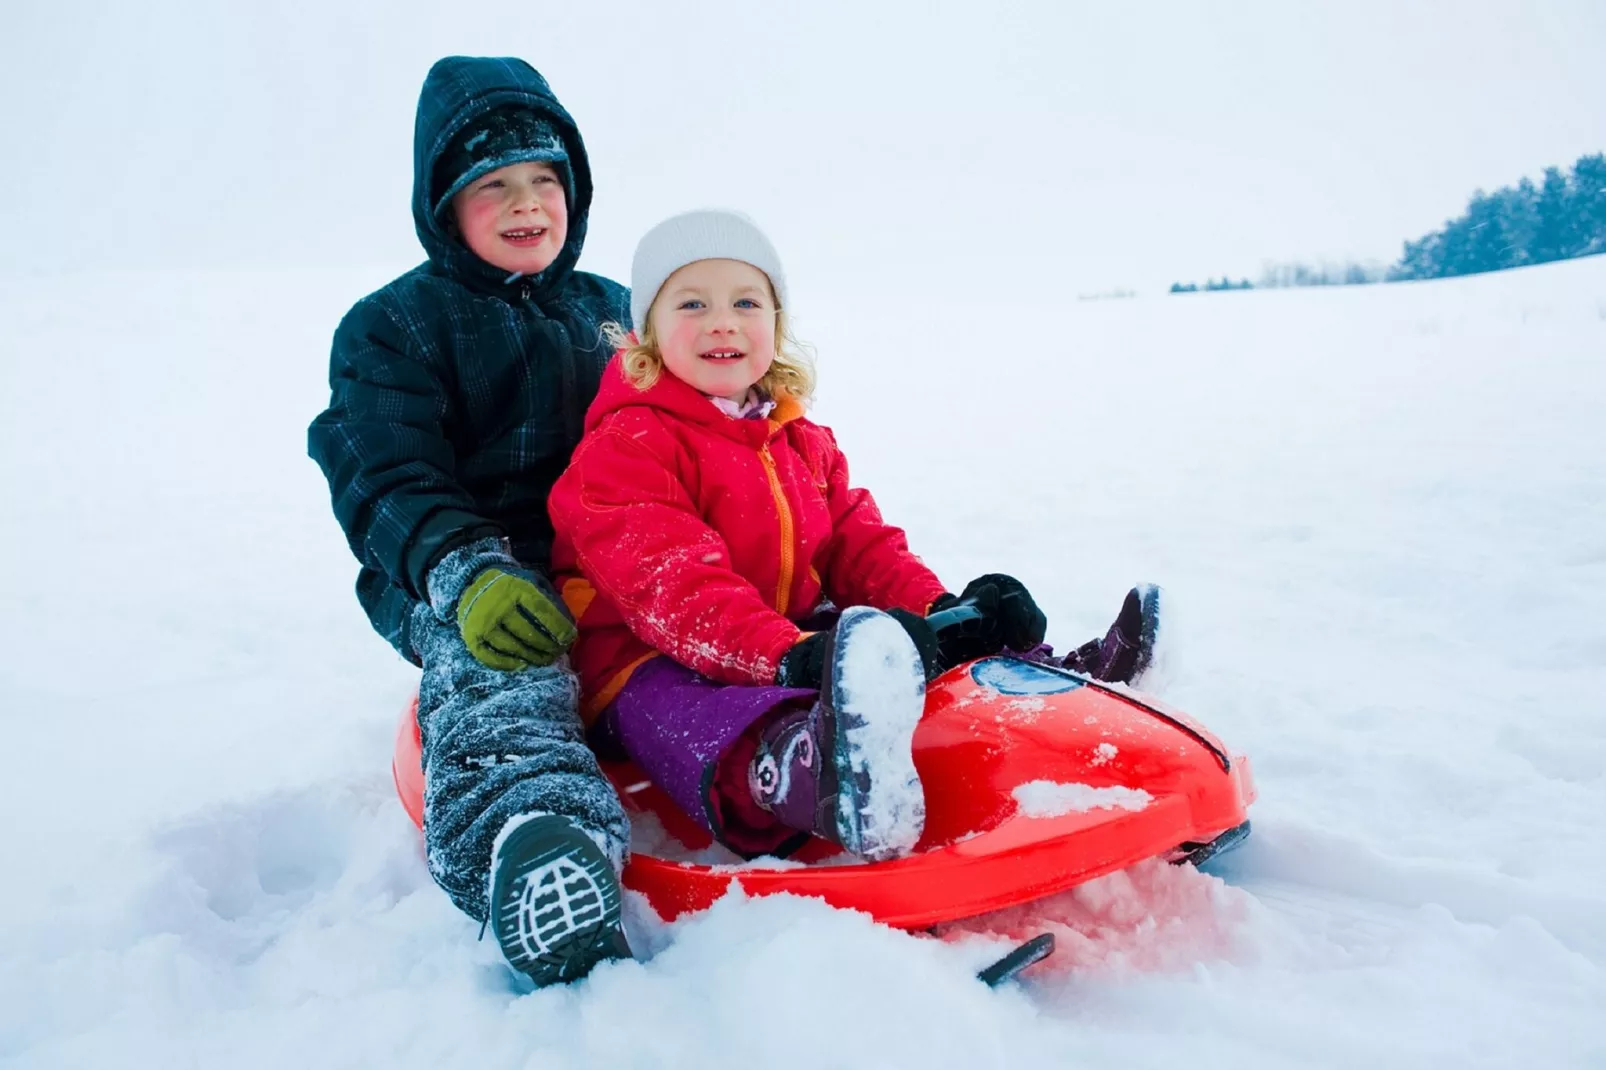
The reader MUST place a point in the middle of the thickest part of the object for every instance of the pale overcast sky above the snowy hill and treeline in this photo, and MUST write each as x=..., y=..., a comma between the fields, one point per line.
x=1058, y=147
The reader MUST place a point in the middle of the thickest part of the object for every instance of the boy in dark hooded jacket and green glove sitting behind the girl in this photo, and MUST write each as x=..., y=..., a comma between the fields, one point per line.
x=459, y=394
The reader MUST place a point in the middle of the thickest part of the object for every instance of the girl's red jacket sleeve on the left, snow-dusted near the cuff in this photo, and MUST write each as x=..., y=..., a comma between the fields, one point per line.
x=640, y=541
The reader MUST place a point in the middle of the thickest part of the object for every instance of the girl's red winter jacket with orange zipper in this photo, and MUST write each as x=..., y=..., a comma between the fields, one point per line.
x=693, y=534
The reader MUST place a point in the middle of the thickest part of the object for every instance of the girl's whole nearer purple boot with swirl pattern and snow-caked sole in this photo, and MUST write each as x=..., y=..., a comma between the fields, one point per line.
x=844, y=769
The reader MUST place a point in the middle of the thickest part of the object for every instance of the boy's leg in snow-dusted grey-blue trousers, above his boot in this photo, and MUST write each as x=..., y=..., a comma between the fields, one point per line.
x=502, y=746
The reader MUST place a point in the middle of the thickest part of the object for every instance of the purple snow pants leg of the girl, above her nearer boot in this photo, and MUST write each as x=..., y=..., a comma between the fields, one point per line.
x=677, y=725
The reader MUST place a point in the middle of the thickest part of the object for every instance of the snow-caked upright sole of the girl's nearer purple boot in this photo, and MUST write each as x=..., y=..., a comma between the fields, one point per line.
x=878, y=690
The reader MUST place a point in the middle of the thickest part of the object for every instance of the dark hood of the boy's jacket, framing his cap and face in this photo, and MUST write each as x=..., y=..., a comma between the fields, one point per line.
x=457, y=92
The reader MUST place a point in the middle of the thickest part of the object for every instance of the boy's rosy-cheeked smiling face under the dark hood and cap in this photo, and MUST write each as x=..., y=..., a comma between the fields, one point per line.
x=516, y=218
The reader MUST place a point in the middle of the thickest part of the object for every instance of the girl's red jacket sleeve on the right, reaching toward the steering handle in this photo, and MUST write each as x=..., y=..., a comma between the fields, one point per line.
x=866, y=560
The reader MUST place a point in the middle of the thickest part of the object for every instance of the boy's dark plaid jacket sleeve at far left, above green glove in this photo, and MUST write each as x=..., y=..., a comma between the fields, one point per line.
x=385, y=451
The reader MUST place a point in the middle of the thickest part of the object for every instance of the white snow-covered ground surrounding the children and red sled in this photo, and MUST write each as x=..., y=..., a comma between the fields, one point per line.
x=1380, y=515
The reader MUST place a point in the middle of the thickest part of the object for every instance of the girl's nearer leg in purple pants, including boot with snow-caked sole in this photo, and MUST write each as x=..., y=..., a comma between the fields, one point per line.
x=836, y=764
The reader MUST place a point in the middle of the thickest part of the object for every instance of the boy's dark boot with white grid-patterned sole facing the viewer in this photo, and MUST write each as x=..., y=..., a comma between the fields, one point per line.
x=555, y=901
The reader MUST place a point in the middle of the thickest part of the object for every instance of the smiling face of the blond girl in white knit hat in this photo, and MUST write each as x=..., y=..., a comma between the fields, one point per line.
x=715, y=324
